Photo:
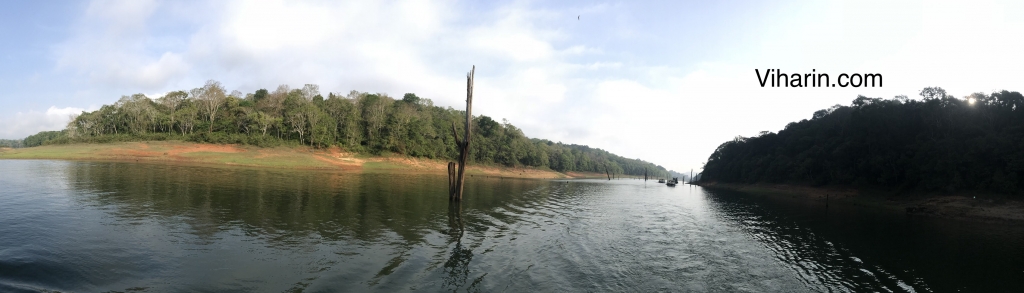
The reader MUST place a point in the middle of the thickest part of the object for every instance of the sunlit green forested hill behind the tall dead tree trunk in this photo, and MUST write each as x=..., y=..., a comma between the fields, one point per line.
x=373, y=123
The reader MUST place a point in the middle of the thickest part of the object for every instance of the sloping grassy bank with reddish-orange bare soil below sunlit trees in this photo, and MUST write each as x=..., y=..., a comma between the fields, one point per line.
x=235, y=155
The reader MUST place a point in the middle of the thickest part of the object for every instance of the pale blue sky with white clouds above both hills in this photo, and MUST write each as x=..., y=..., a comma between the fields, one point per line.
x=662, y=81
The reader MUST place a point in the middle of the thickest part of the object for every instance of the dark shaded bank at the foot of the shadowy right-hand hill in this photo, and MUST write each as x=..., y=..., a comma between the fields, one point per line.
x=982, y=207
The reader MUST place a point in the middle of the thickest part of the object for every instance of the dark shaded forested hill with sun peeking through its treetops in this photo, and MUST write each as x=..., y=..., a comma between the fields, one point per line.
x=937, y=144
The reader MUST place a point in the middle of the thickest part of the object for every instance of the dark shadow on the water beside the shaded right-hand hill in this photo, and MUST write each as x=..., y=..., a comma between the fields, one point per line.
x=847, y=247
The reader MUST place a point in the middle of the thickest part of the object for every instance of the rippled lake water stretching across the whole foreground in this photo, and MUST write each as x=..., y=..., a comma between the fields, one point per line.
x=150, y=228
